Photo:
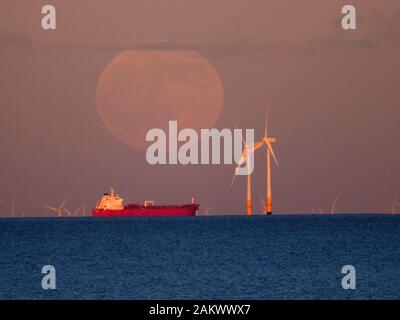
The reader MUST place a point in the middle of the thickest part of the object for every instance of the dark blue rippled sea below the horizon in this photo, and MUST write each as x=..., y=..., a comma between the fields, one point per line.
x=225, y=257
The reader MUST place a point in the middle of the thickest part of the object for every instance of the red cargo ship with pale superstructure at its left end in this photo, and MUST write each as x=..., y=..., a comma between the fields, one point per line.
x=112, y=205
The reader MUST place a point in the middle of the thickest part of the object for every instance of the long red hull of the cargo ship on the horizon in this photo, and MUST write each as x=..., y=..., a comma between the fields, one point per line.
x=154, y=211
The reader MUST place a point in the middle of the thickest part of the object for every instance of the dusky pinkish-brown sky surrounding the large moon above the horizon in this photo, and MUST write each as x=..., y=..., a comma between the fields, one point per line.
x=332, y=96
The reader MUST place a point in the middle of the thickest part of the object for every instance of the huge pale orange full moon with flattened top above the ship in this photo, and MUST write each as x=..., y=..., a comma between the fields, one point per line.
x=144, y=89
